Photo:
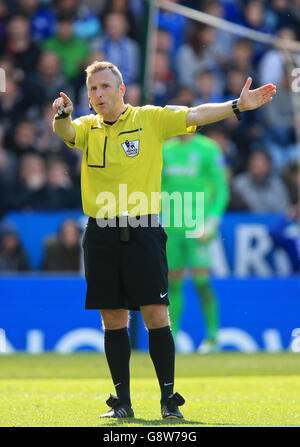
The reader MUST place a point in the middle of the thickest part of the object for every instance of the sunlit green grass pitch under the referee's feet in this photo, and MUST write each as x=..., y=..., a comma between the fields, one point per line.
x=226, y=389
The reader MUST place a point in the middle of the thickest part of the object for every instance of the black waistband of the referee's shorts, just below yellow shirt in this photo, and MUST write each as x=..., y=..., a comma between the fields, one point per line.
x=147, y=220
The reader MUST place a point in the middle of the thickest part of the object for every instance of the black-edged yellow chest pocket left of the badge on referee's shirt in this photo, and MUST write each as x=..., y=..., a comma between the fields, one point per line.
x=96, y=150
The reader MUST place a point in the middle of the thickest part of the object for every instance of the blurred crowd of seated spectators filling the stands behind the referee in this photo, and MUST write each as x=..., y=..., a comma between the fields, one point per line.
x=45, y=46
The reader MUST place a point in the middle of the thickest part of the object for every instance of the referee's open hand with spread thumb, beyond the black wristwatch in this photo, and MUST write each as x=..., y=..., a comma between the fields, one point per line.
x=252, y=99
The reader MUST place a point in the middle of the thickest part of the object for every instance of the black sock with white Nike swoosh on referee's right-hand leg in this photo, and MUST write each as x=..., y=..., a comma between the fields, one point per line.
x=162, y=353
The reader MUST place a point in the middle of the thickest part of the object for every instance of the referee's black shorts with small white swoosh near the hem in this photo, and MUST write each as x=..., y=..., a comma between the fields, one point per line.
x=125, y=275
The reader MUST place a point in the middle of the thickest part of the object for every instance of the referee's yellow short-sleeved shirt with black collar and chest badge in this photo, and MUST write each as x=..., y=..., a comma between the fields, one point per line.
x=122, y=162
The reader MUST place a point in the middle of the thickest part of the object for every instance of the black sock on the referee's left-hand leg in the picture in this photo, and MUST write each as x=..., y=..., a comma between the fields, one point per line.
x=117, y=351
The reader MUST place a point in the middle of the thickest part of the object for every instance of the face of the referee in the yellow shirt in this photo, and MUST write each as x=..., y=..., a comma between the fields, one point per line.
x=106, y=96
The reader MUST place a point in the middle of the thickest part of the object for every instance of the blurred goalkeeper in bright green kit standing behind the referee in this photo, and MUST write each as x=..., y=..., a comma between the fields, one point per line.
x=194, y=163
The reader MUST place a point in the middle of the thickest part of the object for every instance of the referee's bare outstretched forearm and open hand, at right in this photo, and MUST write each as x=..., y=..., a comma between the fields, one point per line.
x=248, y=100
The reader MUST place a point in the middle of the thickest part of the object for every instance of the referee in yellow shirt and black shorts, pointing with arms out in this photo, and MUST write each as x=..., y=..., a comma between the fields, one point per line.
x=125, y=263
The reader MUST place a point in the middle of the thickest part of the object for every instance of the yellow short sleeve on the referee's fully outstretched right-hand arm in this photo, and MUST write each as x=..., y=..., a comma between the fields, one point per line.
x=170, y=121
